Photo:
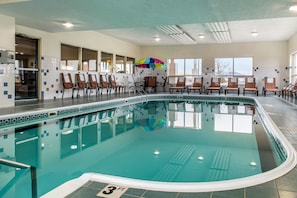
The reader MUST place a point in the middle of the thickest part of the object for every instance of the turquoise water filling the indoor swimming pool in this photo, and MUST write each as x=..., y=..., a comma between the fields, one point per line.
x=168, y=141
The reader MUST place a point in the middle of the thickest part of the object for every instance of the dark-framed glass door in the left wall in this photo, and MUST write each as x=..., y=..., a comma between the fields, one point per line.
x=26, y=68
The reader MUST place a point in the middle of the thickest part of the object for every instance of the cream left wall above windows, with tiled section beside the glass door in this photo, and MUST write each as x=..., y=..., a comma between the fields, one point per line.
x=50, y=44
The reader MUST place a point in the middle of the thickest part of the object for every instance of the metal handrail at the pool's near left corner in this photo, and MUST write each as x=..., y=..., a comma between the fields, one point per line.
x=24, y=166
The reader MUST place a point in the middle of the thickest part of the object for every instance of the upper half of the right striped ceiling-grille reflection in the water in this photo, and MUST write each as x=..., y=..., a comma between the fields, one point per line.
x=221, y=159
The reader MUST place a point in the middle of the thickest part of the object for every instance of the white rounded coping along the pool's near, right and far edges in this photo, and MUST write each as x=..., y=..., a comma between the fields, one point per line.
x=277, y=172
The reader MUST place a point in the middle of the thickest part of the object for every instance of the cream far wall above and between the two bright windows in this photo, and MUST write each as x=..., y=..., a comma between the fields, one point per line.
x=270, y=57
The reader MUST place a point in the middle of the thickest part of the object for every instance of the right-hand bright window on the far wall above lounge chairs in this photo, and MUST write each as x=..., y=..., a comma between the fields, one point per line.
x=242, y=66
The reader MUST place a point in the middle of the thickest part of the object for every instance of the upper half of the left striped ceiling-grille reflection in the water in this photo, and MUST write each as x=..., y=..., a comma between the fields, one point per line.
x=182, y=156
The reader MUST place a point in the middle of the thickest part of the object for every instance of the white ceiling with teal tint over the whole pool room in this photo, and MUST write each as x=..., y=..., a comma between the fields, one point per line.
x=137, y=20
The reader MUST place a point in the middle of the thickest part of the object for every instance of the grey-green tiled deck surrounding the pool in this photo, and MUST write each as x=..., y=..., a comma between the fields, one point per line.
x=281, y=111
